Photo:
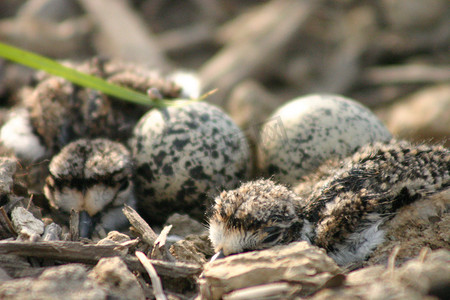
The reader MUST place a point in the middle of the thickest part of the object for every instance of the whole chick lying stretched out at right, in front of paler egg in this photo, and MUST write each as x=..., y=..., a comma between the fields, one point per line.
x=347, y=211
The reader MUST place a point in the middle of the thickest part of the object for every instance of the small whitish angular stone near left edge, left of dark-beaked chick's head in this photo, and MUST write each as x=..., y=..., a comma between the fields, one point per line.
x=25, y=224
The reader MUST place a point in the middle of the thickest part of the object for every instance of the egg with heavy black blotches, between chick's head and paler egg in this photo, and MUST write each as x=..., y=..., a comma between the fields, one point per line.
x=185, y=155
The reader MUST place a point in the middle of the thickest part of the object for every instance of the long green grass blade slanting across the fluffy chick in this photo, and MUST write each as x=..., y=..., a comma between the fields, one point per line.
x=36, y=61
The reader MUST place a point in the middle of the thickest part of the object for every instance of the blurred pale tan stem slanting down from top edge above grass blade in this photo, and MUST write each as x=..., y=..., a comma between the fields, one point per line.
x=124, y=34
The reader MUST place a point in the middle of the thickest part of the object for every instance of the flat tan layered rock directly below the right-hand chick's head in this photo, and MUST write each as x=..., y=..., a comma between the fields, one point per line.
x=298, y=263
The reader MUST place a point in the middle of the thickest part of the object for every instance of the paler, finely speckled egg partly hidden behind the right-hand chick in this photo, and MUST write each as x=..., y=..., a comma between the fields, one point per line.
x=307, y=131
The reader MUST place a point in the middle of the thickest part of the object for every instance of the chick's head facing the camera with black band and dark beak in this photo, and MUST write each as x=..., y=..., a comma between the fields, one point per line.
x=93, y=177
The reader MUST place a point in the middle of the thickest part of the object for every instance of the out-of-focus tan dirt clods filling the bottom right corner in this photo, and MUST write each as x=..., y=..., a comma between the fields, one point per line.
x=424, y=276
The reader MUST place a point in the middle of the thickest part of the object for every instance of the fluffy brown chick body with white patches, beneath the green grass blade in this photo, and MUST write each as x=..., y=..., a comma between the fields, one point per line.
x=58, y=112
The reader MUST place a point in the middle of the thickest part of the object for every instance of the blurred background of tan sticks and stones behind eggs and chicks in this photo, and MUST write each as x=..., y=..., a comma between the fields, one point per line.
x=391, y=55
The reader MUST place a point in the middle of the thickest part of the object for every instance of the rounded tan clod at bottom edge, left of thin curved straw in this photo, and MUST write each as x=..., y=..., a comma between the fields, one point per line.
x=114, y=277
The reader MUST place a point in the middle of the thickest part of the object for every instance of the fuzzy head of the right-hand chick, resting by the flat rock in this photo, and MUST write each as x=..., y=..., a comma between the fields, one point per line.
x=258, y=215
